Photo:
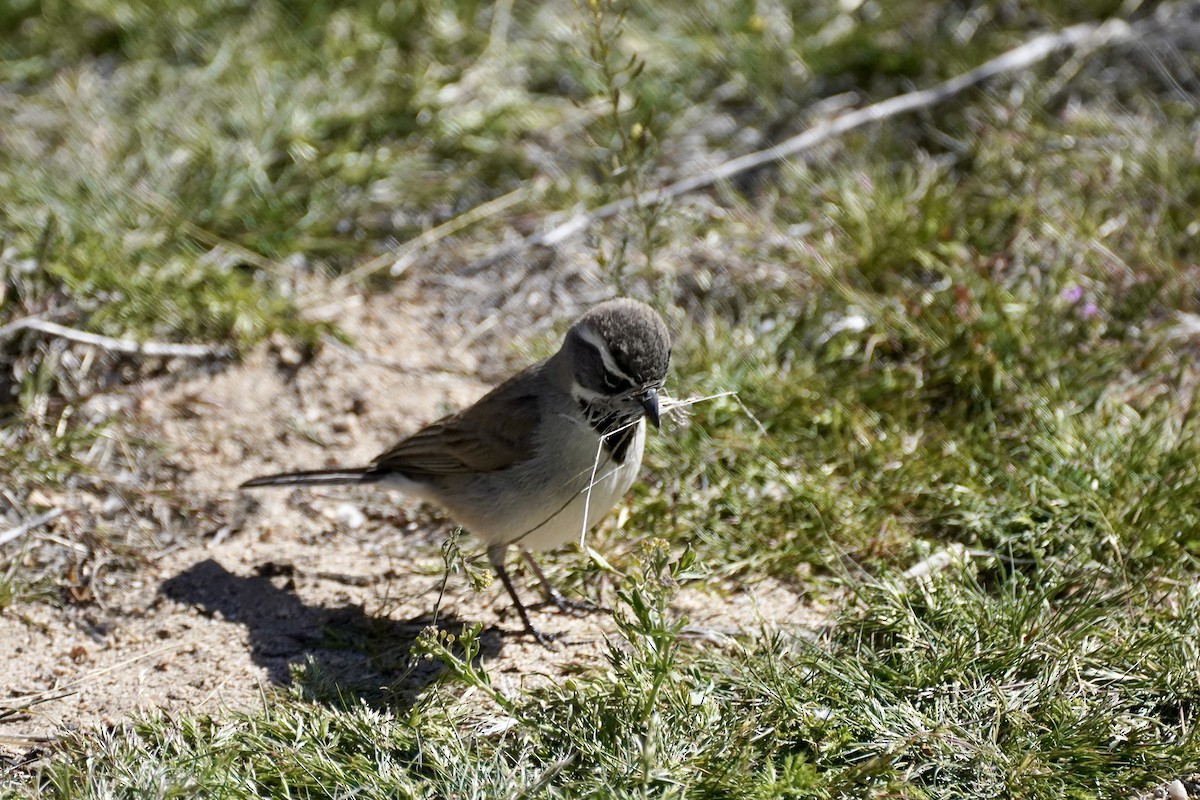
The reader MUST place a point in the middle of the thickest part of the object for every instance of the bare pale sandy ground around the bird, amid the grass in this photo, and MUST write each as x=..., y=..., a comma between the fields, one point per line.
x=253, y=585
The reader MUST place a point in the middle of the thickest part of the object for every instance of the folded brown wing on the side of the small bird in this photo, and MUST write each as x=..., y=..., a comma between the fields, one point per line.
x=494, y=434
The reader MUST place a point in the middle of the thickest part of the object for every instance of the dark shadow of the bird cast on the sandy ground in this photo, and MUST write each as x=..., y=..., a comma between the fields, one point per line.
x=347, y=654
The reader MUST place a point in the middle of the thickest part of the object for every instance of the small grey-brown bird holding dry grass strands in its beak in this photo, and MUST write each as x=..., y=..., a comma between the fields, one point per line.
x=544, y=456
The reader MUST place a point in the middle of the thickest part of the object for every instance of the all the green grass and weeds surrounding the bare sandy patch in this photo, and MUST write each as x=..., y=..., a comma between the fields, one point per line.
x=962, y=332
